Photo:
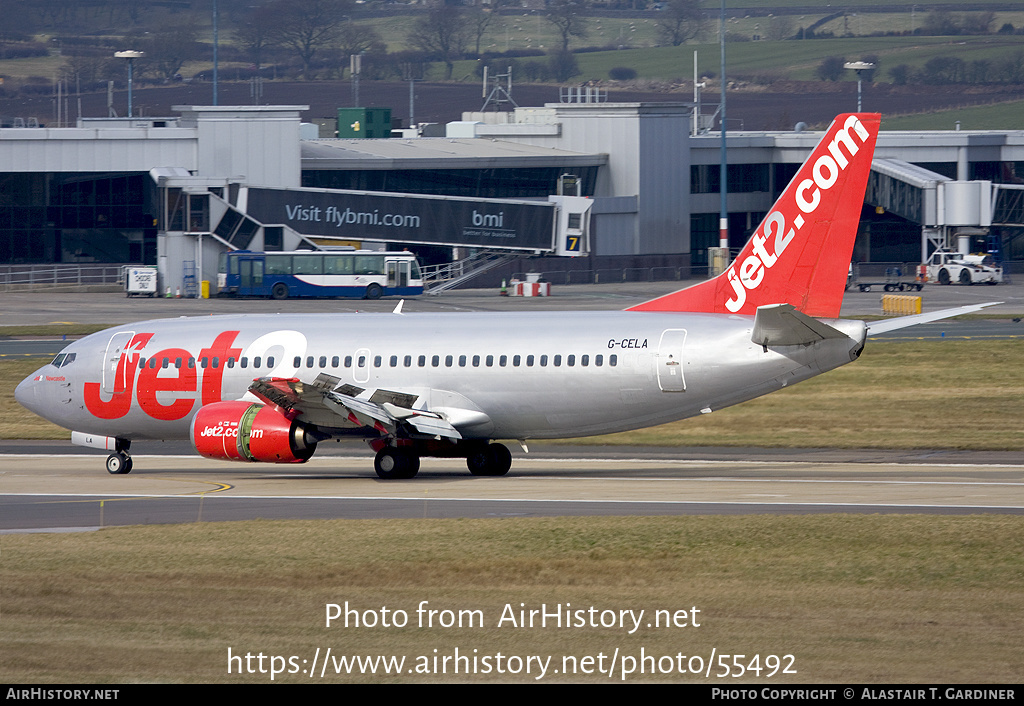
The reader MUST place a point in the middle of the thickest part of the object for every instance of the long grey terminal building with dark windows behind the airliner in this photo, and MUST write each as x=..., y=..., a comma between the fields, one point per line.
x=181, y=190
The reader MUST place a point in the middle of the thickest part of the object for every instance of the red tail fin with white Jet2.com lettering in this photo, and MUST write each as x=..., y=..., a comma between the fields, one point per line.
x=800, y=254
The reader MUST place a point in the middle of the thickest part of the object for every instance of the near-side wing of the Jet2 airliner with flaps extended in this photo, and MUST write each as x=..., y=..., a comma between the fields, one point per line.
x=327, y=403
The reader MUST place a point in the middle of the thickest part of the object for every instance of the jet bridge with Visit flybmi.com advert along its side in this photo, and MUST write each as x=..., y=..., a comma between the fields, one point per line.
x=201, y=218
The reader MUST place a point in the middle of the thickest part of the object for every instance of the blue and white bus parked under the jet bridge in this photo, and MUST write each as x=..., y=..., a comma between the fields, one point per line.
x=365, y=274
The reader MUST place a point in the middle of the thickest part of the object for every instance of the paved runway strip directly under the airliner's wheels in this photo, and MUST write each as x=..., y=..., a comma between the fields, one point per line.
x=73, y=492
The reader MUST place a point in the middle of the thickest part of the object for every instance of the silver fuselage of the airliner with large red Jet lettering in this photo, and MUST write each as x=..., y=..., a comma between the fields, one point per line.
x=550, y=376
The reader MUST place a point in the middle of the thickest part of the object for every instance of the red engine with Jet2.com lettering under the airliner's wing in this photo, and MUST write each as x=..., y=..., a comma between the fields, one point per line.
x=249, y=432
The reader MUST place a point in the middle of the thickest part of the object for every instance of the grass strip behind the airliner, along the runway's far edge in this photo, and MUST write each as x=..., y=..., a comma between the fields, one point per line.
x=894, y=397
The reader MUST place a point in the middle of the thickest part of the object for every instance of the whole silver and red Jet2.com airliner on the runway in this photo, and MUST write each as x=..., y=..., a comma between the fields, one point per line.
x=270, y=388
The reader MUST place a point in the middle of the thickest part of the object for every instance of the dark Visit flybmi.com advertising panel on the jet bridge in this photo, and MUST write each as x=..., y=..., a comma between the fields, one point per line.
x=362, y=216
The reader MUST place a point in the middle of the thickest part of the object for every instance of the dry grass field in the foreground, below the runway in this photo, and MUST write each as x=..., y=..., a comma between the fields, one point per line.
x=855, y=599
